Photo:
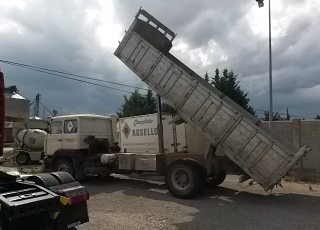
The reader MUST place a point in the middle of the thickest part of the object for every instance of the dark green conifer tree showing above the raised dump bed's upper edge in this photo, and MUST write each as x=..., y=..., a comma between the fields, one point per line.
x=229, y=85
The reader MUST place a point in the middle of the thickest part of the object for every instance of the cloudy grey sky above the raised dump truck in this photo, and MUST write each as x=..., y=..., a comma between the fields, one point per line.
x=80, y=37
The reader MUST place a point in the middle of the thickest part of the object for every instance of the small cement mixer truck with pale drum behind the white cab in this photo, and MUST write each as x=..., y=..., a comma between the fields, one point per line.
x=29, y=146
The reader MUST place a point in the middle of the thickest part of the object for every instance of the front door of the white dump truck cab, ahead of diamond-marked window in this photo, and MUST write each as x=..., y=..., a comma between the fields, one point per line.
x=54, y=139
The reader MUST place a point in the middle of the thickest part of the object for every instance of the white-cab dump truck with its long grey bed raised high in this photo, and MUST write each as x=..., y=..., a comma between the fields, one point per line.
x=87, y=144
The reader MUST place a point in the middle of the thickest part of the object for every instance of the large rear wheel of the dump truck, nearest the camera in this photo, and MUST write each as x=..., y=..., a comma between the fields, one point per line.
x=184, y=179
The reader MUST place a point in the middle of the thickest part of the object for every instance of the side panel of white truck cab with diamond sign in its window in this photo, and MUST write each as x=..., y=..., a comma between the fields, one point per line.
x=70, y=134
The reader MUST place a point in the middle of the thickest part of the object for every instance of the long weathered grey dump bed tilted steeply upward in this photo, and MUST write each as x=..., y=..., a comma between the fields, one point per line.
x=231, y=129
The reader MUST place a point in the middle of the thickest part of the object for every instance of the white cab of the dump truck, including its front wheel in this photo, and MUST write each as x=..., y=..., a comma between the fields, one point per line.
x=76, y=143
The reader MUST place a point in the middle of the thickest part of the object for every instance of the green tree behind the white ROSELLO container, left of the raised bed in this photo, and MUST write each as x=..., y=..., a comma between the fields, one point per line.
x=138, y=104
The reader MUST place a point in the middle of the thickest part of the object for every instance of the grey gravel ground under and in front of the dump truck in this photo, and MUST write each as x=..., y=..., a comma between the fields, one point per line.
x=142, y=202
